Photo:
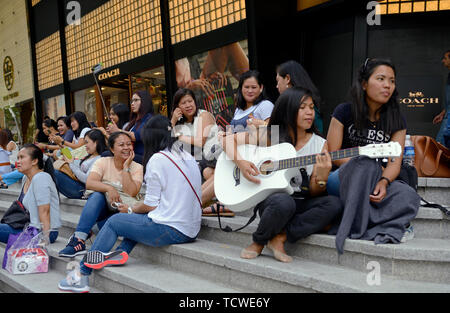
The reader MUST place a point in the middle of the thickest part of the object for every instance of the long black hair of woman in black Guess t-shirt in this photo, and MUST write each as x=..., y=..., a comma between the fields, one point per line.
x=390, y=116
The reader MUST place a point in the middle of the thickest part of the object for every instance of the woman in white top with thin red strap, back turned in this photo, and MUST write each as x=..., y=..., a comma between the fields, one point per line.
x=170, y=213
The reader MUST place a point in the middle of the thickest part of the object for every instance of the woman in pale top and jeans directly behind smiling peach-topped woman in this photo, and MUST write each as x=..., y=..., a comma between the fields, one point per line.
x=74, y=189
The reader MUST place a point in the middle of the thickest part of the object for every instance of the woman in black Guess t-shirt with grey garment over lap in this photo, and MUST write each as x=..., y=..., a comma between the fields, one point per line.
x=364, y=185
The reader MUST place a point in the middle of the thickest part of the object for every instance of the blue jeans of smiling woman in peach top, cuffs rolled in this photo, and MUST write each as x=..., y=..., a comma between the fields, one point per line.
x=95, y=211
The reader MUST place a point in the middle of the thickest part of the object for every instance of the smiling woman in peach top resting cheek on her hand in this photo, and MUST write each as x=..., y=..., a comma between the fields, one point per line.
x=119, y=169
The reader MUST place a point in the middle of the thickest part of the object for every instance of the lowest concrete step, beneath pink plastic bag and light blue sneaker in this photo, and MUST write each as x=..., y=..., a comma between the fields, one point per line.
x=135, y=276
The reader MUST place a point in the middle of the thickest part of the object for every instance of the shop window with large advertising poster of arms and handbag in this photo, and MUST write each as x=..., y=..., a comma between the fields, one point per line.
x=214, y=77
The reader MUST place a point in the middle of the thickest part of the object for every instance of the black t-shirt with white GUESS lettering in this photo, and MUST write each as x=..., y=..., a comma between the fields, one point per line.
x=354, y=137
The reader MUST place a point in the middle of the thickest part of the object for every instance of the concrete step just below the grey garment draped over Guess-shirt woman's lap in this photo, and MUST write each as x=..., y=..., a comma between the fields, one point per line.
x=421, y=259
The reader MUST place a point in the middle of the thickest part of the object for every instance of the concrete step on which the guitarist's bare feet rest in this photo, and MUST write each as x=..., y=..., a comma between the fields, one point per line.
x=222, y=262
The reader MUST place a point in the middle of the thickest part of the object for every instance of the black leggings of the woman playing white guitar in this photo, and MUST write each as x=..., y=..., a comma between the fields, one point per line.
x=299, y=217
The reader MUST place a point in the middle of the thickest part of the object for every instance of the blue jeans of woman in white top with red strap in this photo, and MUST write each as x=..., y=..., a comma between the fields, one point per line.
x=134, y=228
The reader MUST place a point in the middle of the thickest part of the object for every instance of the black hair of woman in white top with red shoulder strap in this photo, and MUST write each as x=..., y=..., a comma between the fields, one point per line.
x=156, y=136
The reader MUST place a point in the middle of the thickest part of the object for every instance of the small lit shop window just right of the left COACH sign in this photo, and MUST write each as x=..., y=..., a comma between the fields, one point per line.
x=154, y=82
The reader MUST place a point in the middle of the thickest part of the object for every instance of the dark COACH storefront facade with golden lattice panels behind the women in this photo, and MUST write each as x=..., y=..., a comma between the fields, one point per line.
x=160, y=45
